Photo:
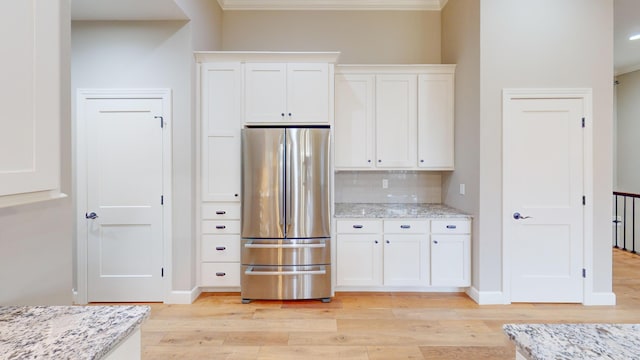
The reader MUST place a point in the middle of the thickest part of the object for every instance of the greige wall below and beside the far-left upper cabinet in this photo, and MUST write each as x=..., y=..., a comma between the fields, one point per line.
x=36, y=257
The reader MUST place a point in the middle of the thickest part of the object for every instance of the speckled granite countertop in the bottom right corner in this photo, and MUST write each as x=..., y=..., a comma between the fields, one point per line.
x=576, y=341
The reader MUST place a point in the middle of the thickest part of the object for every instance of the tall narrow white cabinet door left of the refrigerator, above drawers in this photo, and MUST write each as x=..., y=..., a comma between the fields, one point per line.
x=221, y=91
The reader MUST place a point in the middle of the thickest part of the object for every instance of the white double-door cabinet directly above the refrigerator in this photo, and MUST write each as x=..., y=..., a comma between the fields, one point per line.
x=287, y=93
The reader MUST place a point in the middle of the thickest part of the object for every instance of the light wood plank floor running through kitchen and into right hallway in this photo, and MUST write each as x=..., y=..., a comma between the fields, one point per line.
x=366, y=325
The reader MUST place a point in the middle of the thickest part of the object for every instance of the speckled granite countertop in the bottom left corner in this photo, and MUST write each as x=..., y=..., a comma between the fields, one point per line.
x=66, y=332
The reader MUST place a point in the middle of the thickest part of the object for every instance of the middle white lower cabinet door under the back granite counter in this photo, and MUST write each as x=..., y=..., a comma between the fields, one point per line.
x=405, y=260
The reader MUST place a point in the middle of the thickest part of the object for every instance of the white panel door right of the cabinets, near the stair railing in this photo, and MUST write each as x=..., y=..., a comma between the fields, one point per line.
x=543, y=192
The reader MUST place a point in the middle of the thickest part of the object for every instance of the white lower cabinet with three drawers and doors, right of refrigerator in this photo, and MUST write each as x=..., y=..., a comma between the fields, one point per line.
x=374, y=254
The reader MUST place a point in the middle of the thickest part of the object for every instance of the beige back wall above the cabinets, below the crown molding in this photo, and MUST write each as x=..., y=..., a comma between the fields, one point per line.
x=401, y=37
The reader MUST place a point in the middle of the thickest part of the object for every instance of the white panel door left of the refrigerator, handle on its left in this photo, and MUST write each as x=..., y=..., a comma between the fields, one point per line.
x=124, y=189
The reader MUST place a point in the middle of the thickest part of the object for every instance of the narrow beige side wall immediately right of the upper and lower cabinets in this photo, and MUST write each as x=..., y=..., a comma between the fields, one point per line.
x=461, y=46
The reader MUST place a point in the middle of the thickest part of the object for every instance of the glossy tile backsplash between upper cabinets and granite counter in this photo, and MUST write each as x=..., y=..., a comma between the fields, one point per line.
x=404, y=187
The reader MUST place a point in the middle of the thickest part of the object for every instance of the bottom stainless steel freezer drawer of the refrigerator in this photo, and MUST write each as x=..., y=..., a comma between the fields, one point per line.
x=286, y=282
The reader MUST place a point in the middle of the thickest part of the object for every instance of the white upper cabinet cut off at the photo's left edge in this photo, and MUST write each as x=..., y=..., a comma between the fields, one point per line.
x=31, y=101
